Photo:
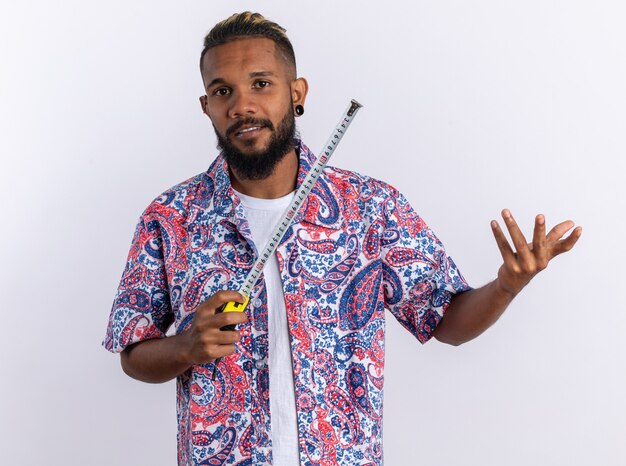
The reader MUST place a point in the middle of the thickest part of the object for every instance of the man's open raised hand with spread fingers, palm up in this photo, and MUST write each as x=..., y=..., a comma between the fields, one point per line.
x=528, y=259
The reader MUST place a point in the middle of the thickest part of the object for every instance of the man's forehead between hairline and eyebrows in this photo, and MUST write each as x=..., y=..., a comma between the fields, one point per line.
x=241, y=57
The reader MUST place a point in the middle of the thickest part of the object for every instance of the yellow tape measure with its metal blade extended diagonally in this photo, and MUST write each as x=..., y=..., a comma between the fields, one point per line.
x=284, y=223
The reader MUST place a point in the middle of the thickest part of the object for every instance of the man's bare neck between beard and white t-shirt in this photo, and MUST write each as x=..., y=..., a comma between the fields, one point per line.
x=280, y=183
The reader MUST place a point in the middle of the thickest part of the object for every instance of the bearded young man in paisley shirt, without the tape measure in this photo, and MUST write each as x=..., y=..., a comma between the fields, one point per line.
x=300, y=380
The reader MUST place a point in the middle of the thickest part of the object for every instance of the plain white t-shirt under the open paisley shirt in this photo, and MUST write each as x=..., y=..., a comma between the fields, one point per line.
x=263, y=215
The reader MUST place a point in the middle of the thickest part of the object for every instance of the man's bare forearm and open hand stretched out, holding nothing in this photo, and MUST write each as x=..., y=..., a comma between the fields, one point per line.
x=471, y=313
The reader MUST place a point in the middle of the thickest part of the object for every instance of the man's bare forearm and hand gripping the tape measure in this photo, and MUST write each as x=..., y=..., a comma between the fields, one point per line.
x=162, y=359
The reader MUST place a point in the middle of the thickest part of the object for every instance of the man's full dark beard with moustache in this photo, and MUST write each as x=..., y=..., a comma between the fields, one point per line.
x=261, y=164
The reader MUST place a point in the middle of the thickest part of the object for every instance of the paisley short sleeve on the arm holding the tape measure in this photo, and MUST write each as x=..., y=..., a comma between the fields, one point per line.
x=141, y=309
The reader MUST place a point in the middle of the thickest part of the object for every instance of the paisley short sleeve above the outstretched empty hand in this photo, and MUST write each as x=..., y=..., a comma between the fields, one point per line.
x=419, y=278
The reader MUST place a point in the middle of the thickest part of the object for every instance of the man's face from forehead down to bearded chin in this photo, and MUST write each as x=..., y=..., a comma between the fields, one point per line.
x=251, y=92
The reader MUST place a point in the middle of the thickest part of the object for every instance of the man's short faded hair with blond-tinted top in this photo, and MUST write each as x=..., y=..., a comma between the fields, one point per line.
x=249, y=25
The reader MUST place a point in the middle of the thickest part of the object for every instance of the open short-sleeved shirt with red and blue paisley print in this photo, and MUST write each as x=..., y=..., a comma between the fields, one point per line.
x=356, y=248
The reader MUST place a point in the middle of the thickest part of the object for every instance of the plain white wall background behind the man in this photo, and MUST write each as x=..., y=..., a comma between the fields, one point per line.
x=470, y=107
